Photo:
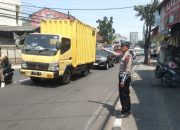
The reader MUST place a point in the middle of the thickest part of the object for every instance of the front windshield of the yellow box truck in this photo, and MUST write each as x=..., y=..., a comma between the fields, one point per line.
x=40, y=44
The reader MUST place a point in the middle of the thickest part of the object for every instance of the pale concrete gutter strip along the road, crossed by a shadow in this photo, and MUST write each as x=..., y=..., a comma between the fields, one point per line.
x=103, y=115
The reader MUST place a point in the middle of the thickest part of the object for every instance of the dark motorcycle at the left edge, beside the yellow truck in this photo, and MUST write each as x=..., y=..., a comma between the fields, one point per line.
x=7, y=70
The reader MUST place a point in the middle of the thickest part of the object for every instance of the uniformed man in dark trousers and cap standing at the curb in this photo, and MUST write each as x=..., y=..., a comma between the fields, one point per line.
x=125, y=79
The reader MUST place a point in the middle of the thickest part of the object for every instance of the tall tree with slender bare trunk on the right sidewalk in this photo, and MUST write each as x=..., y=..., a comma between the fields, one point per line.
x=146, y=14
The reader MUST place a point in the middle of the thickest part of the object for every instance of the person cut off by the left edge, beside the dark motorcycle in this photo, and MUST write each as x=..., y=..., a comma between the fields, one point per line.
x=1, y=70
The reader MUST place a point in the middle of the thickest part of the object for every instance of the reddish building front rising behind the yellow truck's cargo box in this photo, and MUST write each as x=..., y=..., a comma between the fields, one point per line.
x=47, y=13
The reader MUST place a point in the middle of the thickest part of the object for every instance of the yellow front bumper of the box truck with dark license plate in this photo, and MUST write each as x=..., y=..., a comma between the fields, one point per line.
x=40, y=74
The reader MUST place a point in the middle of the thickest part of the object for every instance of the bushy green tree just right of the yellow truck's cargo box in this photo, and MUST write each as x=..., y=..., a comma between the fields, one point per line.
x=106, y=30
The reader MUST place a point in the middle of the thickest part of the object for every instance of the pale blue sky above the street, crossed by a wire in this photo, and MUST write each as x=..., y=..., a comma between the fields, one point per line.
x=124, y=20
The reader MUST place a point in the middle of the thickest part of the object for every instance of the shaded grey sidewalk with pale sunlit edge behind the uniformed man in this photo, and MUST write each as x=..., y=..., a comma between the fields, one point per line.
x=153, y=106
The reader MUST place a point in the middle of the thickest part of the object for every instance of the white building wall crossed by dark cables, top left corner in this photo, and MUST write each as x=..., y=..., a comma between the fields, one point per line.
x=10, y=6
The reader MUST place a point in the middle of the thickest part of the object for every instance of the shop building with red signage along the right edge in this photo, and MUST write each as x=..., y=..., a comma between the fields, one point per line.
x=167, y=32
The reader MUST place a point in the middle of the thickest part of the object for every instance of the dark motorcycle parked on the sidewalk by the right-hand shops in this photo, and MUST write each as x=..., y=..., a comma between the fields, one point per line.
x=169, y=76
